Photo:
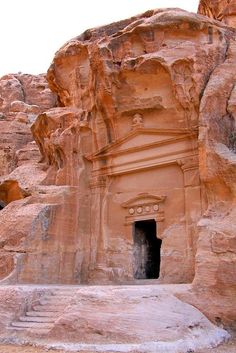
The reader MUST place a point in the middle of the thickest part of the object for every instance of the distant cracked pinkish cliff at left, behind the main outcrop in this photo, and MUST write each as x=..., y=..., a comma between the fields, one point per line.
x=22, y=98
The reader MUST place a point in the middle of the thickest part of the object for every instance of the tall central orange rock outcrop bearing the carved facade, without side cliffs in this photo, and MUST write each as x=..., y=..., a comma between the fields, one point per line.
x=128, y=87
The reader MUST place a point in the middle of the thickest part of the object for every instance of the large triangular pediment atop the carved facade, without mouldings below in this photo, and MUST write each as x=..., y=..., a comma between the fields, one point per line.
x=141, y=138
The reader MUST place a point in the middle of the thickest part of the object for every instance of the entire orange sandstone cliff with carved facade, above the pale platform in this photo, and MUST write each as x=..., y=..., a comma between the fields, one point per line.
x=140, y=127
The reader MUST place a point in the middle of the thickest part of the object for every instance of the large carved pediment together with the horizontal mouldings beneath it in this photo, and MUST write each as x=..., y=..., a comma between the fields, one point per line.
x=144, y=148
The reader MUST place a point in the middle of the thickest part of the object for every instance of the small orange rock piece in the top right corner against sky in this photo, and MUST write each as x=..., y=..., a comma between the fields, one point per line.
x=221, y=10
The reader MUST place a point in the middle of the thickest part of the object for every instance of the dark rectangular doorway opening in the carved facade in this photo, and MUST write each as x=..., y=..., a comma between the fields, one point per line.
x=147, y=250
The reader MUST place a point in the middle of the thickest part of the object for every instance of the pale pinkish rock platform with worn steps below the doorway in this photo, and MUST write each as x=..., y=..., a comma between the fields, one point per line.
x=115, y=319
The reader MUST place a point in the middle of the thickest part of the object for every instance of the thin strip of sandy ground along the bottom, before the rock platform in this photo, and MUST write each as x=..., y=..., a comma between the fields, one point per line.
x=229, y=347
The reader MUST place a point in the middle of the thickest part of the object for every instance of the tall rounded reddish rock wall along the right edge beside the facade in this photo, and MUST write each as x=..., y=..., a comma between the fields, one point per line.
x=216, y=249
